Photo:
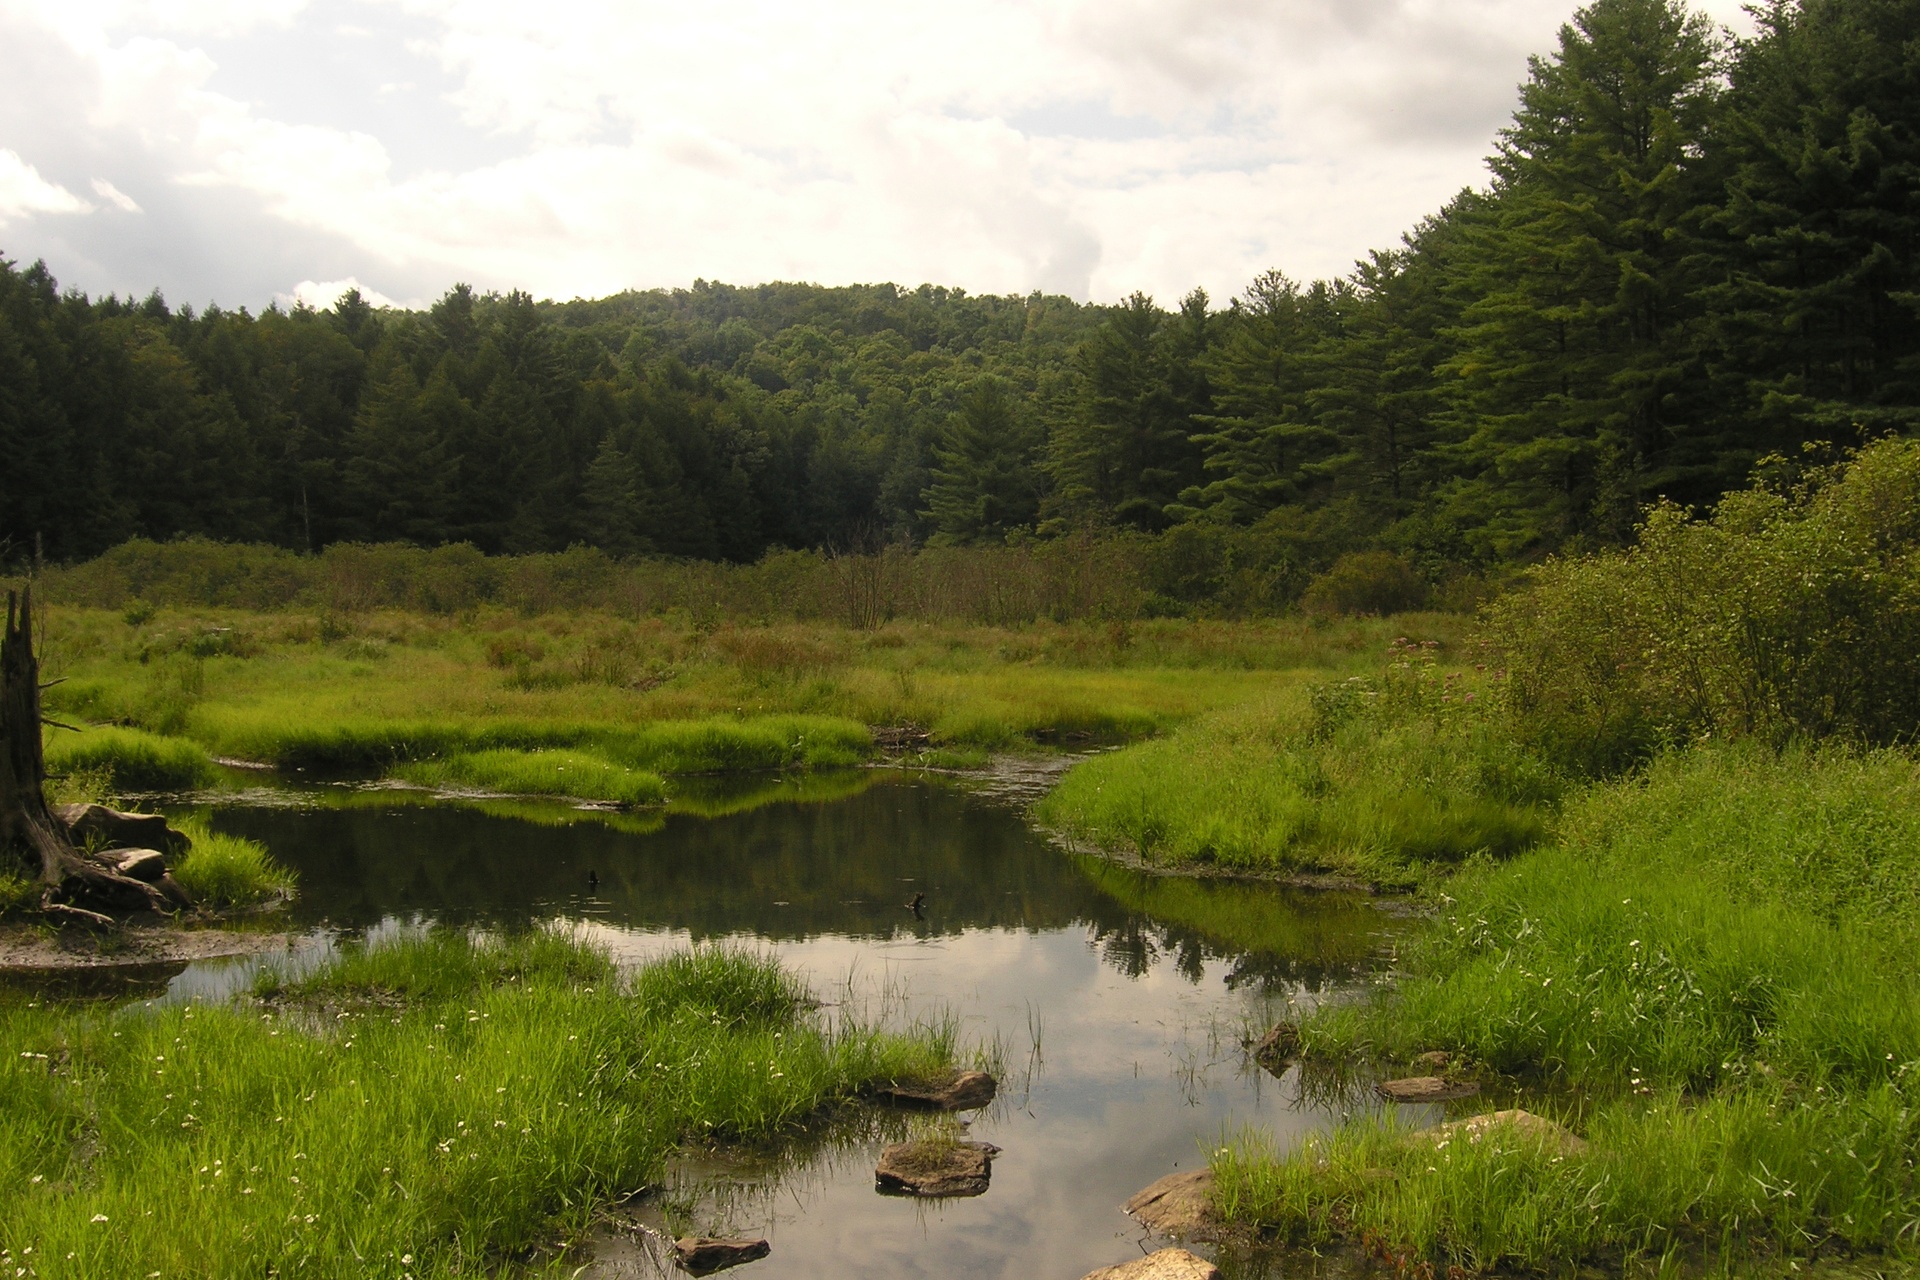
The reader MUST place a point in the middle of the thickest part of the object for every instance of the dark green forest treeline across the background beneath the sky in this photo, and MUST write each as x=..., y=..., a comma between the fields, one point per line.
x=1692, y=256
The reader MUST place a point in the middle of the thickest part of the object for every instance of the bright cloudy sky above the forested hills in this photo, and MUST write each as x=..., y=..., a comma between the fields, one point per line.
x=245, y=151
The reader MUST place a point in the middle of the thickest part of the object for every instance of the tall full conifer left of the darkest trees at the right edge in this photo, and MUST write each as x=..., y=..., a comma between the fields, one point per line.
x=1579, y=350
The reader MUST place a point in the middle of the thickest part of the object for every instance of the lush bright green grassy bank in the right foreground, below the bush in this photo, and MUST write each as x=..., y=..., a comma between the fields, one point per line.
x=1712, y=968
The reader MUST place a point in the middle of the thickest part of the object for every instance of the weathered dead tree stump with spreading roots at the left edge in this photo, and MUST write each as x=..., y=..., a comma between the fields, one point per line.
x=80, y=886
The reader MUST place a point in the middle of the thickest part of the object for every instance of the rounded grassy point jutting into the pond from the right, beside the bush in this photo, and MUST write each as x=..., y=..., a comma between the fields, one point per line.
x=1272, y=788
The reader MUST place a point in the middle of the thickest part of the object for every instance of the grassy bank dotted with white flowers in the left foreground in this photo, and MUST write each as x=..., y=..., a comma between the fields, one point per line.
x=433, y=1108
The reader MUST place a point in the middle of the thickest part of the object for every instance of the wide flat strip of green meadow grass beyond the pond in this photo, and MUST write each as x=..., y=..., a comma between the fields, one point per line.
x=356, y=696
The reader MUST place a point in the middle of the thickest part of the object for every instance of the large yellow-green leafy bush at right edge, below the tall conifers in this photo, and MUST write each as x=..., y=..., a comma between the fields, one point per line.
x=1792, y=613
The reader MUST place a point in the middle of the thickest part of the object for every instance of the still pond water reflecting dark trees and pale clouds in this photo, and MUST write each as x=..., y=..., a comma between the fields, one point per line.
x=1120, y=1001
